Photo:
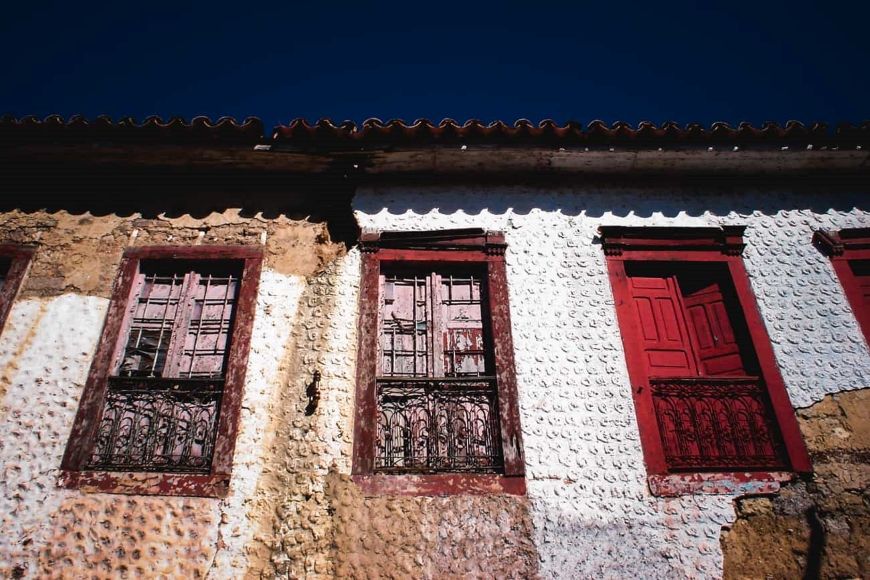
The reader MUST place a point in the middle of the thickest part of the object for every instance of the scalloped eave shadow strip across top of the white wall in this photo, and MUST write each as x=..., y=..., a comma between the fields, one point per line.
x=618, y=201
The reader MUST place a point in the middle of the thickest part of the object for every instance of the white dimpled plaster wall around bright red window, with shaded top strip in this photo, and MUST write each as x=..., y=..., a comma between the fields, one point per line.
x=593, y=514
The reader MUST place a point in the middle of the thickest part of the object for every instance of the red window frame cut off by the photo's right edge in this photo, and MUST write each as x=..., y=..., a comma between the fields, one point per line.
x=842, y=247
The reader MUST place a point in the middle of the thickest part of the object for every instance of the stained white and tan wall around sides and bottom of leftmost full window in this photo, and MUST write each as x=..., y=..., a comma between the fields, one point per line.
x=46, y=350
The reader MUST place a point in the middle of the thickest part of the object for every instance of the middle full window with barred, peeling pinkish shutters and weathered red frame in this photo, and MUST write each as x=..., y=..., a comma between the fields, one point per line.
x=436, y=392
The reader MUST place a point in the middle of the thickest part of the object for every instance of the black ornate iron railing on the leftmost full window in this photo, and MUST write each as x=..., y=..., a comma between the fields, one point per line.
x=156, y=424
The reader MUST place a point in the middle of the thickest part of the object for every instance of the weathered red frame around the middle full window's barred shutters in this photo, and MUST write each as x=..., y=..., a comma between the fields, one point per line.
x=474, y=246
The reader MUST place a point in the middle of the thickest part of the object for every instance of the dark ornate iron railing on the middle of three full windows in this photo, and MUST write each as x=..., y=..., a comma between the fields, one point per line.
x=431, y=425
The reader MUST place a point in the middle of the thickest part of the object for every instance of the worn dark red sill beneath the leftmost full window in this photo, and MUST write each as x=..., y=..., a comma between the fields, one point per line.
x=146, y=483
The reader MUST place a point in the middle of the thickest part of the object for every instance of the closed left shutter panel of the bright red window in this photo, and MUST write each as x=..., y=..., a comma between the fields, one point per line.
x=666, y=346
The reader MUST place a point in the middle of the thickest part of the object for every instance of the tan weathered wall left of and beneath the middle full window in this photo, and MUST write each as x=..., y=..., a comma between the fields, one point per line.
x=314, y=521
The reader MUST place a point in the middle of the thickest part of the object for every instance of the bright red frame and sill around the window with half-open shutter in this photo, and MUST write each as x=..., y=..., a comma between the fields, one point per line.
x=710, y=245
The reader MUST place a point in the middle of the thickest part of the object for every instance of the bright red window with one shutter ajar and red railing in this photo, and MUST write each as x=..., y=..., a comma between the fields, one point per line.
x=707, y=391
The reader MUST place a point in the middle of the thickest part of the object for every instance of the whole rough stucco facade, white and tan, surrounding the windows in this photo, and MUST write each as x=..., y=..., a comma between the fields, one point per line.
x=292, y=510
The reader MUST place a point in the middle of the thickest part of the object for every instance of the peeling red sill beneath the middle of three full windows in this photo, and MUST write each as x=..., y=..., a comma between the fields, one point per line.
x=440, y=484
